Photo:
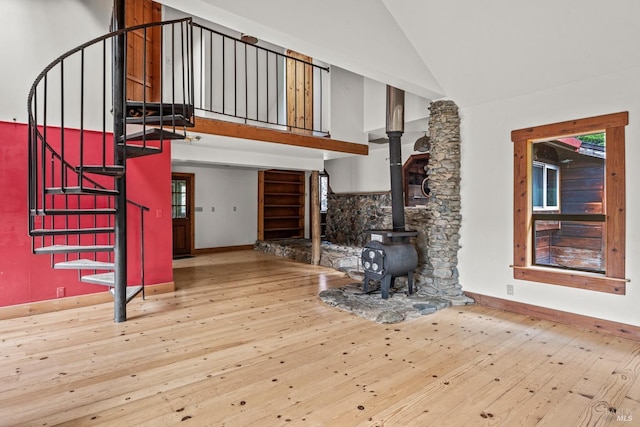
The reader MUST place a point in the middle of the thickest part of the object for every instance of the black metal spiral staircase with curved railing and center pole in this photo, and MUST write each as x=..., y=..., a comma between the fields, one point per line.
x=83, y=126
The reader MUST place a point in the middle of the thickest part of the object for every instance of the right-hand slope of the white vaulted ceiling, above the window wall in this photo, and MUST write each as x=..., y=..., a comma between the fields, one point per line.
x=481, y=51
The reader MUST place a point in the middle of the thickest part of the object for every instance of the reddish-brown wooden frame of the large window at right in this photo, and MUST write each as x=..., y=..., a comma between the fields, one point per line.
x=613, y=280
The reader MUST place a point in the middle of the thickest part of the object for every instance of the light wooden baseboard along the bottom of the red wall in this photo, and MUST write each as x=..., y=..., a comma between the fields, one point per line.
x=48, y=306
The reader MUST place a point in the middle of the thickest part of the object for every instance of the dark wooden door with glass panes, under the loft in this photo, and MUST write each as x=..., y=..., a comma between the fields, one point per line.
x=182, y=213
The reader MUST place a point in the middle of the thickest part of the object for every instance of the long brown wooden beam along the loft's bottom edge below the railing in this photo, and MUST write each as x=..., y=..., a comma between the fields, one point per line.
x=240, y=130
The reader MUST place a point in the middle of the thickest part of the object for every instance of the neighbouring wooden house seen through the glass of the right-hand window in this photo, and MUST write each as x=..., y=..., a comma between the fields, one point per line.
x=568, y=179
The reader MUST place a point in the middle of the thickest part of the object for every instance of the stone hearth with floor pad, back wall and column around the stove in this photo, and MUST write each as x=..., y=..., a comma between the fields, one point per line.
x=350, y=216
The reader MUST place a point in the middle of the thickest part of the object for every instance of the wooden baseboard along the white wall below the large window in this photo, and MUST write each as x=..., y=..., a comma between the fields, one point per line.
x=578, y=320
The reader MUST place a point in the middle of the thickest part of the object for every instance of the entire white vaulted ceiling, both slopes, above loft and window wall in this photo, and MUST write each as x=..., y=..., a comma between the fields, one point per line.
x=473, y=52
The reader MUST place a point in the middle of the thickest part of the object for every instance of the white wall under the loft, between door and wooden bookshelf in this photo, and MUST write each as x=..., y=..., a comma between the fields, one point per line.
x=223, y=189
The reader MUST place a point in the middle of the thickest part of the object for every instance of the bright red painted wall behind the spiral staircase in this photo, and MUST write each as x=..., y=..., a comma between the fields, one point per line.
x=25, y=277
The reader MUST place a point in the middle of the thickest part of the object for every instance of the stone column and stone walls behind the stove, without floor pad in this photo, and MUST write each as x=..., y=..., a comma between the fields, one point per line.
x=438, y=225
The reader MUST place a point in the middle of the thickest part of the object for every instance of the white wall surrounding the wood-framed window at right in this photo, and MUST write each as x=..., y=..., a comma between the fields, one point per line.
x=487, y=192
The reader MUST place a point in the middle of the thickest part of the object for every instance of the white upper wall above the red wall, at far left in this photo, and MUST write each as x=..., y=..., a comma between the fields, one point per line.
x=36, y=32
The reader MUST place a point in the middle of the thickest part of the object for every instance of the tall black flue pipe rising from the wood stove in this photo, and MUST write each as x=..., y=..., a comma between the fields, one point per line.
x=395, y=129
